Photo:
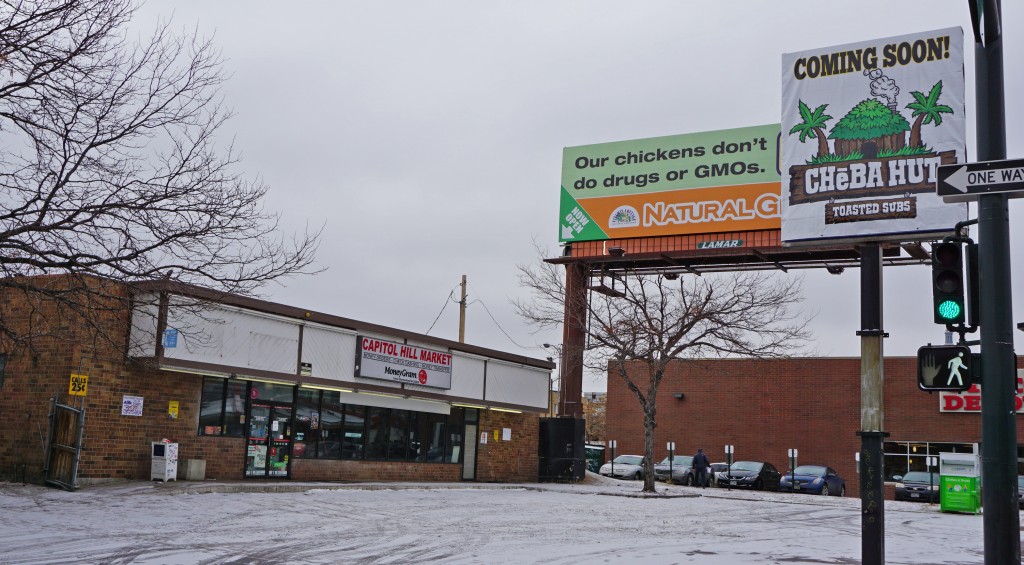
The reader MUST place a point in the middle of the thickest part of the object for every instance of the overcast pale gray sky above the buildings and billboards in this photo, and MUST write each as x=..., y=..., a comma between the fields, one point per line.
x=428, y=137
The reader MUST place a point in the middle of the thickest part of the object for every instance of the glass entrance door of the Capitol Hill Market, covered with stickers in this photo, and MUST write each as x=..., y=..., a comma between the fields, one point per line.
x=270, y=441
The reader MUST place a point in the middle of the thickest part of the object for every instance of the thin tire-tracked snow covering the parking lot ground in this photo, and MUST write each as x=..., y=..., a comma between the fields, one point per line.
x=599, y=521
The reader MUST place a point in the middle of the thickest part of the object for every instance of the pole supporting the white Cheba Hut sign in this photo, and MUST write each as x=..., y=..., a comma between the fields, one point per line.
x=873, y=539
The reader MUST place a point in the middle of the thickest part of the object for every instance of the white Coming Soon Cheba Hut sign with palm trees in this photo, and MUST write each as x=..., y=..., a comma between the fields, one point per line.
x=865, y=128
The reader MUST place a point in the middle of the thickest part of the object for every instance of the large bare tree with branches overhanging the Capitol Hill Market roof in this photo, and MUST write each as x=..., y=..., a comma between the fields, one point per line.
x=110, y=164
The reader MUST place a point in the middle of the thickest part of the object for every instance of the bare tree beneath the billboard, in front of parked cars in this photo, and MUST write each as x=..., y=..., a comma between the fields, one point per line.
x=659, y=320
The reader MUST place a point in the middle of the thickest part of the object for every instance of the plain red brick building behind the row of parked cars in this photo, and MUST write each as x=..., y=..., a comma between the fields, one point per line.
x=765, y=408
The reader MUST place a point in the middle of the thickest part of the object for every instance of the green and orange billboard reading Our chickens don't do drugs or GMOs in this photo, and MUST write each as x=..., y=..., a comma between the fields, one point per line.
x=679, y=185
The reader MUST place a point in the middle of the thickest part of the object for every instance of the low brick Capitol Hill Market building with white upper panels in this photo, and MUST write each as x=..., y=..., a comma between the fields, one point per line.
x=253, y=389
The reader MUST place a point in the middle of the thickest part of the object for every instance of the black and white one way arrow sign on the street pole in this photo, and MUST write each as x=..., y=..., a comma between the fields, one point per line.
x=966, y=182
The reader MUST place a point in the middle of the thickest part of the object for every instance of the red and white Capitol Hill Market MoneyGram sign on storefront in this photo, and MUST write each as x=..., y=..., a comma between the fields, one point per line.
x=402, y=363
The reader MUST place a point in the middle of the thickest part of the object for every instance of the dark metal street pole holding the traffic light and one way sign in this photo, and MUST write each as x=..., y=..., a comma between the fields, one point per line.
x=999, y=383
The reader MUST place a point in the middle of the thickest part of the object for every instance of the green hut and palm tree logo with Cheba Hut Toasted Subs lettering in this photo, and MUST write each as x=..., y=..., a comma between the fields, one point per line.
x=876, y=153
